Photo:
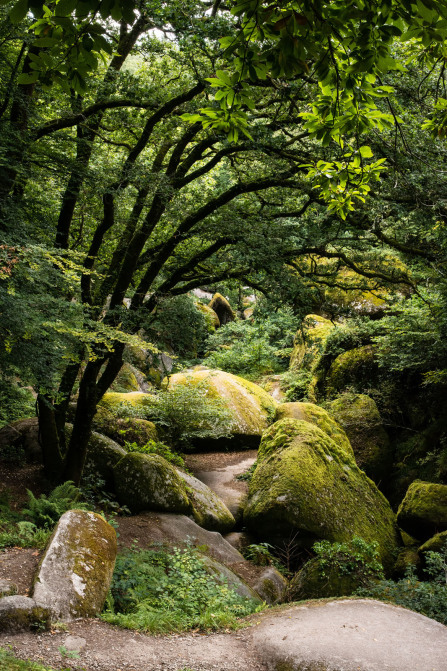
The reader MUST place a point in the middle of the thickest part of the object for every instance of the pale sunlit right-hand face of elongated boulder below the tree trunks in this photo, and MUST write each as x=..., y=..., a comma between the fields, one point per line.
x=209, y=511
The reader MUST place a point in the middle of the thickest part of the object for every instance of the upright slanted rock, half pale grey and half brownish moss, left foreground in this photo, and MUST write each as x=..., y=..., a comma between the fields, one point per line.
x=76, y=571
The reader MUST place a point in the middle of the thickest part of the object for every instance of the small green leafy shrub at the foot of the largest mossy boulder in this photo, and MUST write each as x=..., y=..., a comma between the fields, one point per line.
x=355, y=557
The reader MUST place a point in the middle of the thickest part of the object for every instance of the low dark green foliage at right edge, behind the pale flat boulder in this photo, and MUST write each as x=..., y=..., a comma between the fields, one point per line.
x=427, y=597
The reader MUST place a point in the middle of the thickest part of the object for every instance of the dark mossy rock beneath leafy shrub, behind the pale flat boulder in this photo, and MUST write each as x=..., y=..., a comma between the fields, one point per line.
x=311, y=583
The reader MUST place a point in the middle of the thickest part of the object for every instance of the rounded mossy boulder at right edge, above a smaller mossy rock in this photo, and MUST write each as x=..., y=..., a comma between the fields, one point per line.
x=423, y=512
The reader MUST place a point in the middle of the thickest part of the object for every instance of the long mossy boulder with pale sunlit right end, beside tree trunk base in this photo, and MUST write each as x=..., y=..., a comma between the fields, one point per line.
x=149, y=482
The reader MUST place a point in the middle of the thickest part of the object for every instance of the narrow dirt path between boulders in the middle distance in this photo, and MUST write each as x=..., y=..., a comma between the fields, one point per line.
x=218, y=470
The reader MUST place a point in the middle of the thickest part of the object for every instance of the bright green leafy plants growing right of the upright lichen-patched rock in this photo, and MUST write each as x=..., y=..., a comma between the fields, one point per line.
x=159, y=592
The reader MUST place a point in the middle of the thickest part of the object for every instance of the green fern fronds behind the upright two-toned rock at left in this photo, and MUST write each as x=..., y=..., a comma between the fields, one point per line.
x=45, y=511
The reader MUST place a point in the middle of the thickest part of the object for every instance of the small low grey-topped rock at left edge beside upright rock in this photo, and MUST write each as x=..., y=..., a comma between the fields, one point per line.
x=19, y=613
